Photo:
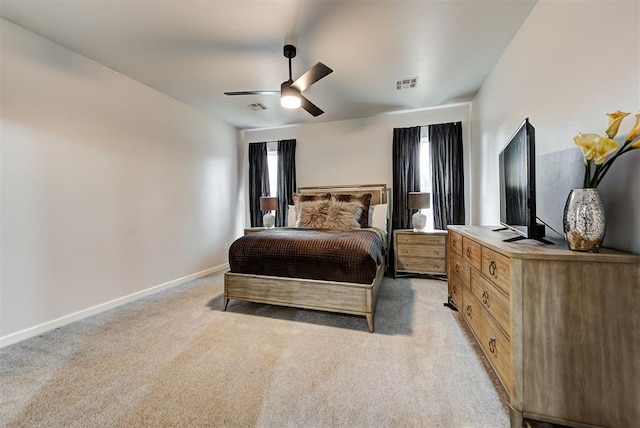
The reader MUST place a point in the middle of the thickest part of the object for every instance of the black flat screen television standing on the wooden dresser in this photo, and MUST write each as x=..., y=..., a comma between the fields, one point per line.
x=517, y=173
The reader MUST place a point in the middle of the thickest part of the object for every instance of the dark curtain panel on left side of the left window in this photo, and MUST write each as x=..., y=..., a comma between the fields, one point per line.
x=258, y=180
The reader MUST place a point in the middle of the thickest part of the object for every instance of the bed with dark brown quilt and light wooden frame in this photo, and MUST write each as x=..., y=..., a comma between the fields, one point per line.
x=293, y=280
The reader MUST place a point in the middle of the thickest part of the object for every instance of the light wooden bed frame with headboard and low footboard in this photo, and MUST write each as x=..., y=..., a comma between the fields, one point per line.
x=331, y=296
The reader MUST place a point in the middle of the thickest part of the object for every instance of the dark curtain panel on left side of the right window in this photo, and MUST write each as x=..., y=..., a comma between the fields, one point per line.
x=406, y=174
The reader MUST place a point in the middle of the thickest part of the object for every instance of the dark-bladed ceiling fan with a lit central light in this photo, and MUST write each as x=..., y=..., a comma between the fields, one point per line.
x=290, y=91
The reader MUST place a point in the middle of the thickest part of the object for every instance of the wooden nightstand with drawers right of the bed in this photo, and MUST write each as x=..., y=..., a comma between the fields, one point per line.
x=420, y=252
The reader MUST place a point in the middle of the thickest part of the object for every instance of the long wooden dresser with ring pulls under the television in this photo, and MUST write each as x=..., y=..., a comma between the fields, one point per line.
x=560, y=328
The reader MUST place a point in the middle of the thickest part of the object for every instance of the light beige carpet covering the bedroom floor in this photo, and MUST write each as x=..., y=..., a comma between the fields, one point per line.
x=174, y=359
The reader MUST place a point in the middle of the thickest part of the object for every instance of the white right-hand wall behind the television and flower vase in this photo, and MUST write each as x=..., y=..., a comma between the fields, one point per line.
x=570, y=64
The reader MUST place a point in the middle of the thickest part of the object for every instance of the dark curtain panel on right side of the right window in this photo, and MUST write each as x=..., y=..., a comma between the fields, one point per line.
x=447, y=174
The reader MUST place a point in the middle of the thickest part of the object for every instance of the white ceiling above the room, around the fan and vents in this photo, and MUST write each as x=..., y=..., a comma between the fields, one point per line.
x=195, y=50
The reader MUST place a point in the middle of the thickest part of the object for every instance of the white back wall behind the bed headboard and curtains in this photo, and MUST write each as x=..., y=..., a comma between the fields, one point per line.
x=354, y=151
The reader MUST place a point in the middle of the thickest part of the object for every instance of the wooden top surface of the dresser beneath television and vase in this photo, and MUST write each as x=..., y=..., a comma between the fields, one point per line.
x=532, y=249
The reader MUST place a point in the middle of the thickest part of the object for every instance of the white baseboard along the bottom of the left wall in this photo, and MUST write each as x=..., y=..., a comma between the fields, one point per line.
x=67, y=319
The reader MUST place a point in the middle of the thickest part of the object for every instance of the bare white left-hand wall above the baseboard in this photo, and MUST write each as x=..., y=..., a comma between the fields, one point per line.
x=109, y=188
